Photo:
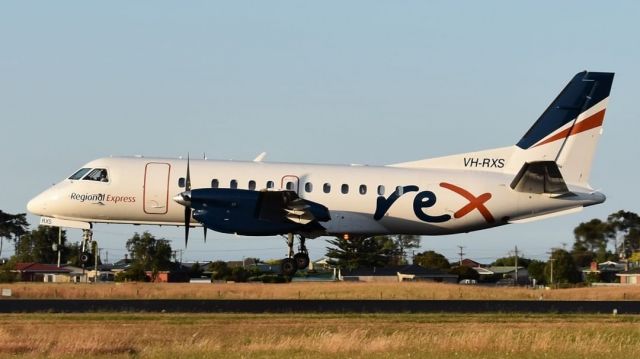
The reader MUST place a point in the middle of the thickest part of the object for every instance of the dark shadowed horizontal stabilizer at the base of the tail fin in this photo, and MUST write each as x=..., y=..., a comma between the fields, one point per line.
x=539, y=177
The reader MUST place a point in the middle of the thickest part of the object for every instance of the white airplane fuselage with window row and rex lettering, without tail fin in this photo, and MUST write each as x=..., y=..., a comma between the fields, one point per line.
x=360, y=199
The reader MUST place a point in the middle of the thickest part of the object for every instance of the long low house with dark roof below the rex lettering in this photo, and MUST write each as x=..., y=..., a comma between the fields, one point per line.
x=411, y=272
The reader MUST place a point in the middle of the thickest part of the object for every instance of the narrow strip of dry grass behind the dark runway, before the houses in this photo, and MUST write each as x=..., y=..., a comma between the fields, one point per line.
x=311, y=290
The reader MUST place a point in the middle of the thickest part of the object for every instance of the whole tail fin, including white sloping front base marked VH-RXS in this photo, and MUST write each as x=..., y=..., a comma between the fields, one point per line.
x=559, y=147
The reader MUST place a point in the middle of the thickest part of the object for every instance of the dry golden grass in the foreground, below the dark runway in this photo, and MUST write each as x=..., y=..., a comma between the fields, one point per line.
x=302, y=336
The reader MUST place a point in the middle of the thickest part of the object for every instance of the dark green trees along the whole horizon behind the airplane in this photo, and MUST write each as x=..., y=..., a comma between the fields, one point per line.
x=615, y=238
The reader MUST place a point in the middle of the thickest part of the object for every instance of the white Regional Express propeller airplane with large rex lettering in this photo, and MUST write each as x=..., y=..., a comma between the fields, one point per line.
x=545, y=174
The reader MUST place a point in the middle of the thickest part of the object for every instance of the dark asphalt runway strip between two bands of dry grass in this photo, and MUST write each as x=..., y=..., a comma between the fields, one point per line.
x=316, y=306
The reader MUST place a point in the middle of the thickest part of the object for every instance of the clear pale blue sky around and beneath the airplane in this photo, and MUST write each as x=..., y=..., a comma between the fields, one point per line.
x=319, y=82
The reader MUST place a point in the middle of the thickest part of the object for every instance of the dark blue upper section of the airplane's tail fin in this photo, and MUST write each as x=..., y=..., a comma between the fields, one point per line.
x=583, y=91
